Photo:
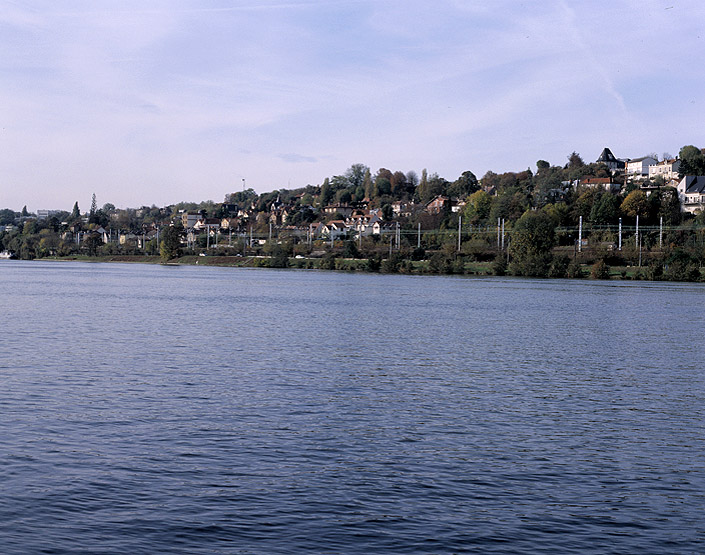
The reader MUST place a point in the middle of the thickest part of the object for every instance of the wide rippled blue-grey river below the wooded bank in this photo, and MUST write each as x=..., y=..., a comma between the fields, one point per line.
x=162, y=409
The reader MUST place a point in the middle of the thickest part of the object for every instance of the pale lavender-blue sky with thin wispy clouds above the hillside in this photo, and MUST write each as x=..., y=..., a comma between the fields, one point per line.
x=151, y=102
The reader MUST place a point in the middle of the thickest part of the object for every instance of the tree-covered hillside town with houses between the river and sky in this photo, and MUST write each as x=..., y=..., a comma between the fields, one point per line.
x=547, y=221
